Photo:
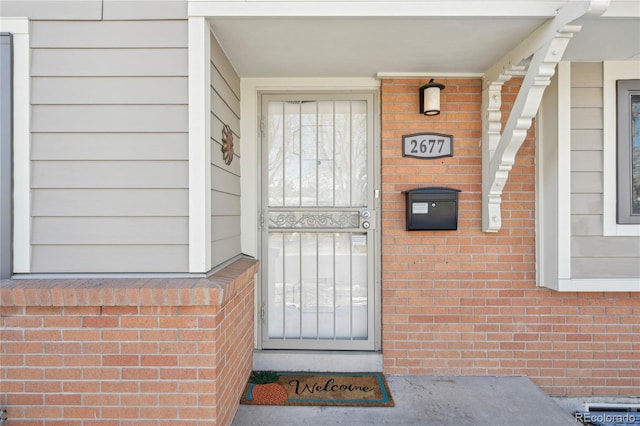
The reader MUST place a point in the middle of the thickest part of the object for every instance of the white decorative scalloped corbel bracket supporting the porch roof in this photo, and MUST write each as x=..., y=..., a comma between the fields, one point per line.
x=537, y=57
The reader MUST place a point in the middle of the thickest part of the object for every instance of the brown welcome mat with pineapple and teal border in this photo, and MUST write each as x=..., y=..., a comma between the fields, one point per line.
x=342, y=389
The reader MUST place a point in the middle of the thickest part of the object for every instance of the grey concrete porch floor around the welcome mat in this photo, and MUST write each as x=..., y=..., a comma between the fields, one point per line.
x=430, y=400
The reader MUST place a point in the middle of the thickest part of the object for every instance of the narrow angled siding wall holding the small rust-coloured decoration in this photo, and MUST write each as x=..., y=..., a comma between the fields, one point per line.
x=225, y=179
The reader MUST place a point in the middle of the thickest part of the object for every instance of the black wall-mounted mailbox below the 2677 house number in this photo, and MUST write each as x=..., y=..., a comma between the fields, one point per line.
x=432, y=209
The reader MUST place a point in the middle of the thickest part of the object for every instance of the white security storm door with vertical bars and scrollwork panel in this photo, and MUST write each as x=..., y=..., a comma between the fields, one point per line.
x=318, y=221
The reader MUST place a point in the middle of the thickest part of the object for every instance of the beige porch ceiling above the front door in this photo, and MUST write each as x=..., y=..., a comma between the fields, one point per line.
x=363, y=46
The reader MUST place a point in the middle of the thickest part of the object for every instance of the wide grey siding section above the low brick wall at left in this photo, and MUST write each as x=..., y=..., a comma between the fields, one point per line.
x=110, y=150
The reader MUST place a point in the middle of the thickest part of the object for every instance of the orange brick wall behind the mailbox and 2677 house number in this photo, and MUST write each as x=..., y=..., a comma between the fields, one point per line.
x=465, y=302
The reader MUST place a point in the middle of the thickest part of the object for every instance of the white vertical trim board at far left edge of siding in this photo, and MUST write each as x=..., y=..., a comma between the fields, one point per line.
x=19, y=27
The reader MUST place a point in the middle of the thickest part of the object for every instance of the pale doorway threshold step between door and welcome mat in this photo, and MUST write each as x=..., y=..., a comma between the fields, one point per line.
x=335, y=361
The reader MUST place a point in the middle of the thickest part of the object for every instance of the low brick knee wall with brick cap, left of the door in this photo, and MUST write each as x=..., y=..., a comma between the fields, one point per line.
x=150, y=352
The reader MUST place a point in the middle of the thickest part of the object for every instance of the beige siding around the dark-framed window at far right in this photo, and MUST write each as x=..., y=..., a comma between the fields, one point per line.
x=593, y=255
